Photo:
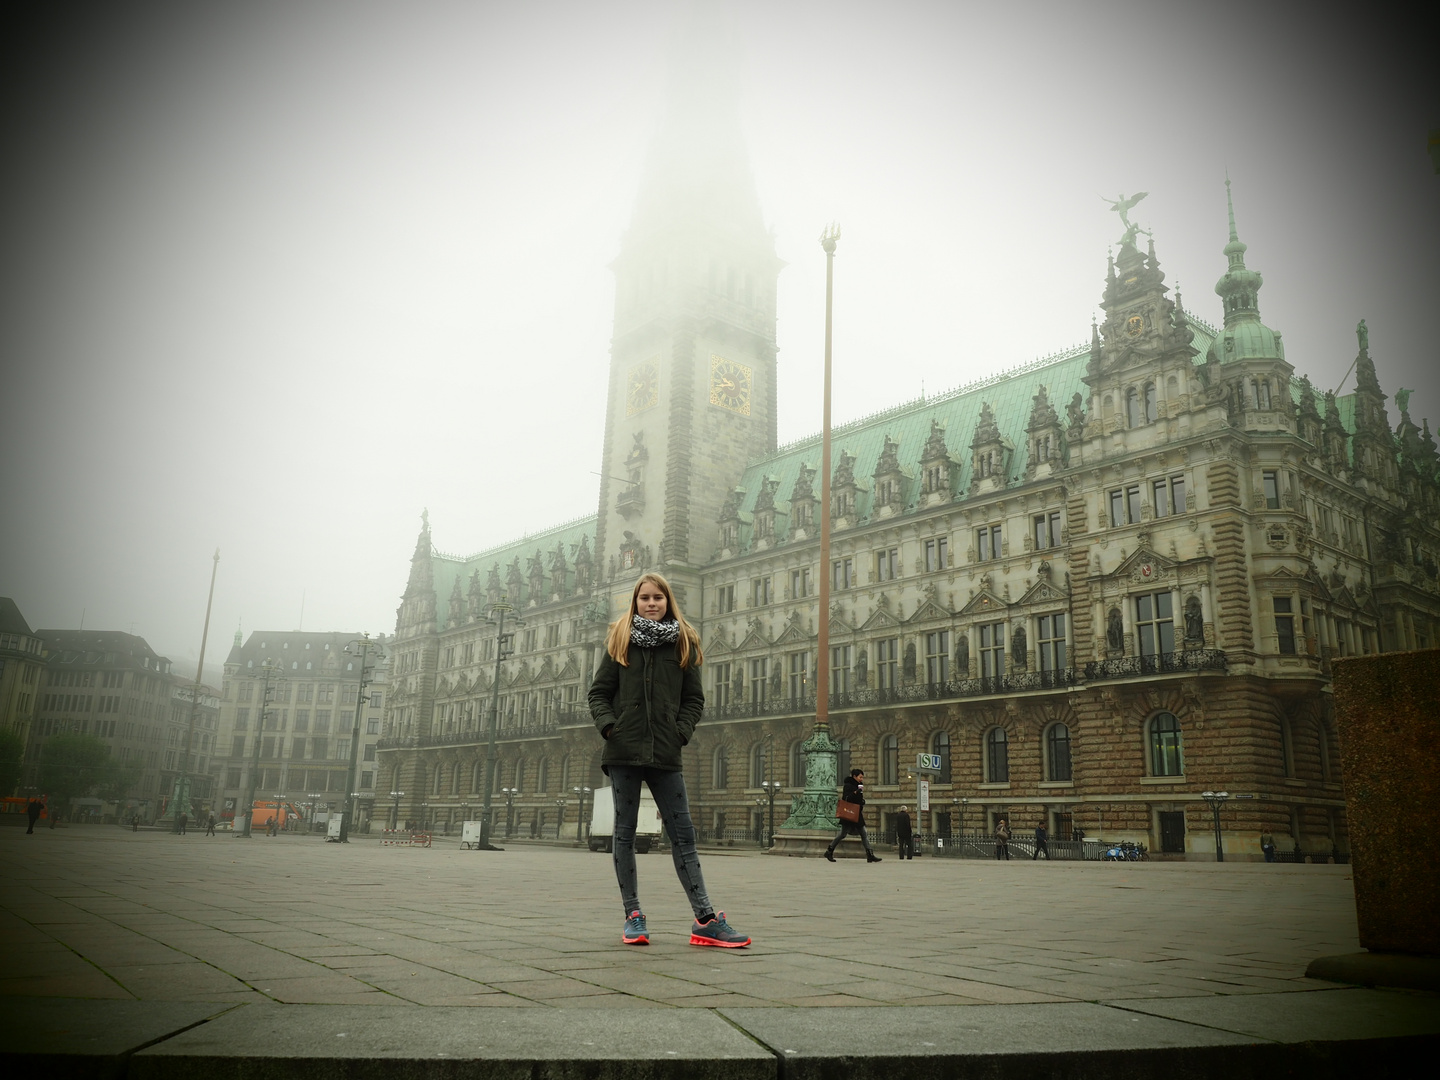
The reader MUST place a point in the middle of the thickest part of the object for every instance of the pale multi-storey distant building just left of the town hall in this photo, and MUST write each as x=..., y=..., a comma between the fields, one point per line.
x=306, y=731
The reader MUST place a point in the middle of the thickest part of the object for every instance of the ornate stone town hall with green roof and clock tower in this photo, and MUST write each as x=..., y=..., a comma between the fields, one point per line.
x=1098, y=585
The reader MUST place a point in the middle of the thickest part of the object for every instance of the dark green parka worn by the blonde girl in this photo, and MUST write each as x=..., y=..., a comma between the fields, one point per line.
x=654, y=706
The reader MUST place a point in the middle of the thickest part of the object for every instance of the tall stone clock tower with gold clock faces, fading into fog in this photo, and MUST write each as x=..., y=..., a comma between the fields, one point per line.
x=692, y=384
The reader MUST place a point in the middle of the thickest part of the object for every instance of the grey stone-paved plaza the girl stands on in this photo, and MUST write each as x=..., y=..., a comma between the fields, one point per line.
x=267, y=950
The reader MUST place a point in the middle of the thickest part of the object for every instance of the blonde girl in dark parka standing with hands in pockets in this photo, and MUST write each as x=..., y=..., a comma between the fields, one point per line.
x=647, y=701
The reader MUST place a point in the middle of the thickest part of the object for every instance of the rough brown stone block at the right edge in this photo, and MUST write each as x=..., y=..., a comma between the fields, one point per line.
x=1390, y=750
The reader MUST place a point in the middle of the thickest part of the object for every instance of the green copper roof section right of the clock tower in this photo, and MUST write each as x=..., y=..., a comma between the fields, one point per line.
x=1010, y=395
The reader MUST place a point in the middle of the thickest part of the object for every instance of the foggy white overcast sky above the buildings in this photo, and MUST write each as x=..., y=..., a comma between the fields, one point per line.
x=279, y=277
